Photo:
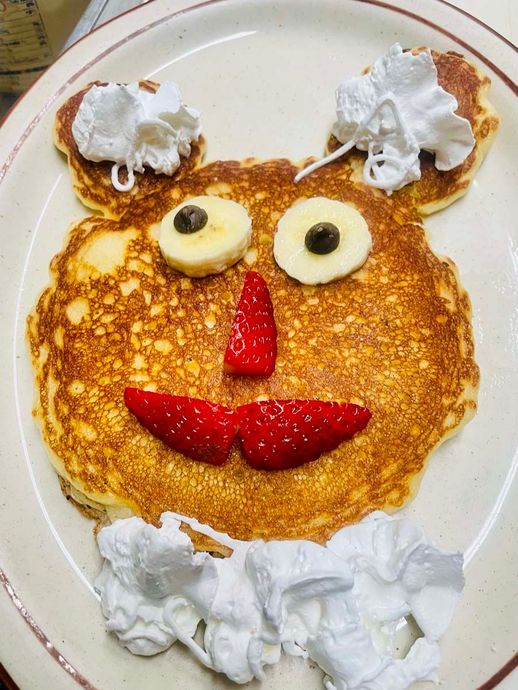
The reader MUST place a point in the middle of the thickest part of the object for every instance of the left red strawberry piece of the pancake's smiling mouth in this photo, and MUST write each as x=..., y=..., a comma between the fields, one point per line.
x=199, y=429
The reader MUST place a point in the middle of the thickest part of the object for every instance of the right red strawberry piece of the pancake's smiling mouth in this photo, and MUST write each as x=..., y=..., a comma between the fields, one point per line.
x=277, y=434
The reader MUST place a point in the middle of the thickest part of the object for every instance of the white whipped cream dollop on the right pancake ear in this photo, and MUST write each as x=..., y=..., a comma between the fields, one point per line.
x=394, y=112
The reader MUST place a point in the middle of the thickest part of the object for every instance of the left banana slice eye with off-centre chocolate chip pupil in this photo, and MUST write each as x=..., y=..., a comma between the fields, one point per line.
x=205, y=235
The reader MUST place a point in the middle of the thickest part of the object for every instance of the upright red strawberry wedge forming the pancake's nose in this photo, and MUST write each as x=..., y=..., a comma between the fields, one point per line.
x=252, y=345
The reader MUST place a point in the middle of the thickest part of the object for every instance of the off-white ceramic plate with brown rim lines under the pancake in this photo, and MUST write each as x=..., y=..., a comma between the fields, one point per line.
x=263, y=74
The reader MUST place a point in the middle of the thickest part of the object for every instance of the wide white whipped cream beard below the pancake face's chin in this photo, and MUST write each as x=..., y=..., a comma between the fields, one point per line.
x=339, y=604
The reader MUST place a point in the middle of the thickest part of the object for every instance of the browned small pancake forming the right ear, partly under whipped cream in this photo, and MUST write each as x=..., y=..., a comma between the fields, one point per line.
x=439, y=188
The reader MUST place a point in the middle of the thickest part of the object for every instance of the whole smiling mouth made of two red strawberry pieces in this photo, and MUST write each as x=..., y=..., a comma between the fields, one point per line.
x=273, y=434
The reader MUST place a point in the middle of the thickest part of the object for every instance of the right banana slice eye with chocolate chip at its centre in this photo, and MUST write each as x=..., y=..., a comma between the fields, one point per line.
x=319, y=240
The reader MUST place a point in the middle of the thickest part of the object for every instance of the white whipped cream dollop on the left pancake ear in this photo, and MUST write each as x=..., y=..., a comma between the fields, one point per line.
x=135, y=128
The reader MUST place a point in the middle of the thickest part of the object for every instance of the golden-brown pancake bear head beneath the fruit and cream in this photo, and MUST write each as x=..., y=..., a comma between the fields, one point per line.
x=394, y=336
